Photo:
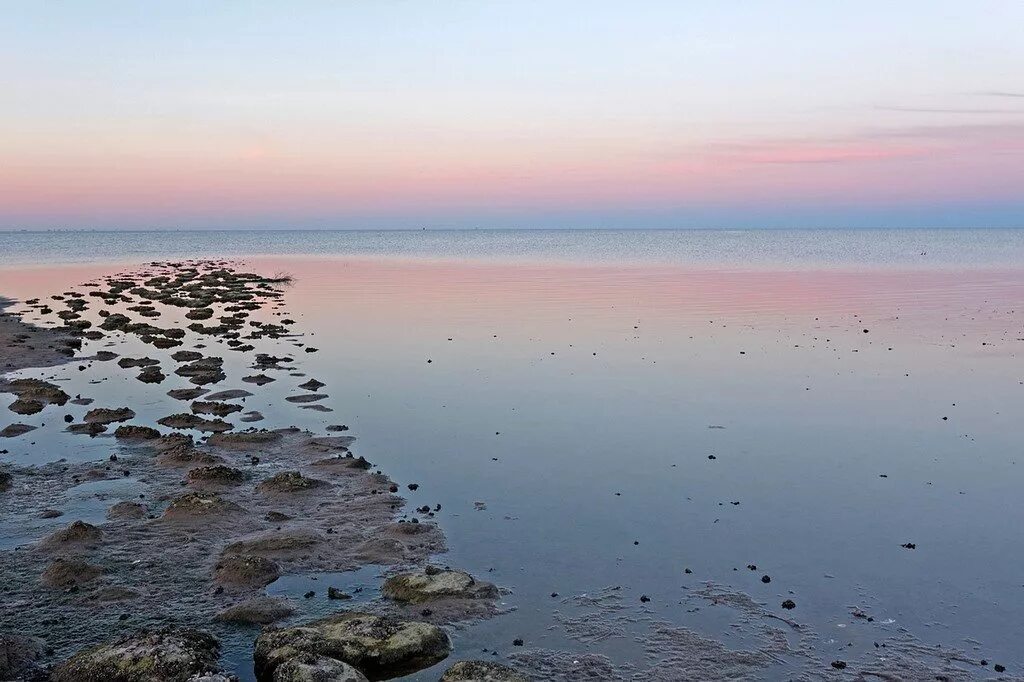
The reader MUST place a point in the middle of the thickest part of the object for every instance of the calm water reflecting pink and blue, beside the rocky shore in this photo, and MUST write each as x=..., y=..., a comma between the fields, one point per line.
x=858, y=391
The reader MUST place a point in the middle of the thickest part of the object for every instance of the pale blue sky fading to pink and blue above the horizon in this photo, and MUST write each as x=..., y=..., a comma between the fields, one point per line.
x=390, y=114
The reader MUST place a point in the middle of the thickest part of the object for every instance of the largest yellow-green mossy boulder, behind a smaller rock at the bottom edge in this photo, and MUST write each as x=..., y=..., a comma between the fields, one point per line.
x=379, y=647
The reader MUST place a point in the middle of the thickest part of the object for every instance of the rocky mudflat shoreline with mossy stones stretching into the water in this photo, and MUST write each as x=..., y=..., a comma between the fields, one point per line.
x=178, y=571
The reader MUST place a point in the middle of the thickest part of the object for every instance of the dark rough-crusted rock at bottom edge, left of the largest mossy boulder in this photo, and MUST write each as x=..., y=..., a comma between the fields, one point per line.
x=172, y=655
